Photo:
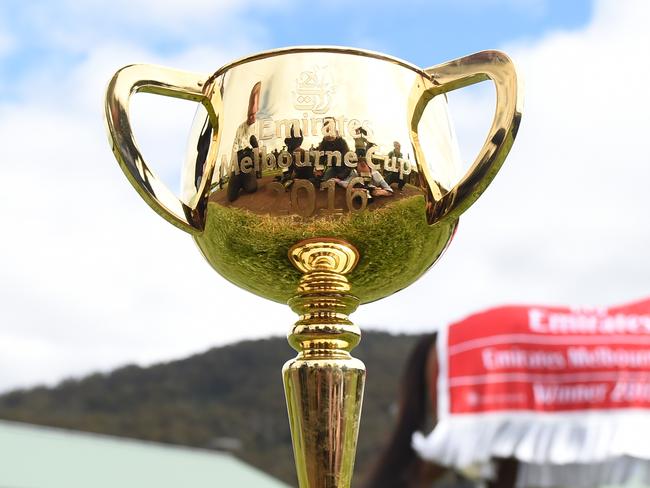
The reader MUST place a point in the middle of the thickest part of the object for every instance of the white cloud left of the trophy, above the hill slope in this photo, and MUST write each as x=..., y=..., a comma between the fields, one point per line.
x=91, y=278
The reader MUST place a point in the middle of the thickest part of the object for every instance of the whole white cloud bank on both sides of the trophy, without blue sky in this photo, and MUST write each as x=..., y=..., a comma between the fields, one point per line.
x=91, y=278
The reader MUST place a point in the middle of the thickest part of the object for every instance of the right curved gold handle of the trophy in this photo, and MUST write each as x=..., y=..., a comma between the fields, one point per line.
x=462, y=72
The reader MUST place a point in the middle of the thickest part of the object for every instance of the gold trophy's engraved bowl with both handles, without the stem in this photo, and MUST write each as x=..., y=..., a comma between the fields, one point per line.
x=247, y=203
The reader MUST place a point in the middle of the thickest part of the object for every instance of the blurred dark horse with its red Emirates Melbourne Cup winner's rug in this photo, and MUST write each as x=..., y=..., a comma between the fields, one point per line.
x=583, y=373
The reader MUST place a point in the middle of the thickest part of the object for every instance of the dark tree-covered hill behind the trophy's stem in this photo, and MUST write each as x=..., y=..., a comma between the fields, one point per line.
x=228, y=396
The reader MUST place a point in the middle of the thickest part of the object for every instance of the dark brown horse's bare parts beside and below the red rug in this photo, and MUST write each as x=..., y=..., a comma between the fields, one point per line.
x=399, y=466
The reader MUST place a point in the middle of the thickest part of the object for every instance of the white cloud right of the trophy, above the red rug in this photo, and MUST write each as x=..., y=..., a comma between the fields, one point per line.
x=565, y=221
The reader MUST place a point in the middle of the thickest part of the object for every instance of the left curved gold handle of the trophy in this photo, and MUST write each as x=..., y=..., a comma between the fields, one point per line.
x=170, y=83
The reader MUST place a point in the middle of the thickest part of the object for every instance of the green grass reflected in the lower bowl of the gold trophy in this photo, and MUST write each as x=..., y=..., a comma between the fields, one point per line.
x=395, y=243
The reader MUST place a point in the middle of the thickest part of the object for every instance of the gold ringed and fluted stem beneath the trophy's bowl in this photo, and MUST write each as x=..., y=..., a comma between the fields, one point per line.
x=324, y=383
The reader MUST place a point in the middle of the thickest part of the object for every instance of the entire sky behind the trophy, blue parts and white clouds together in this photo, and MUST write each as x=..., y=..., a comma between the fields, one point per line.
x=91, y=279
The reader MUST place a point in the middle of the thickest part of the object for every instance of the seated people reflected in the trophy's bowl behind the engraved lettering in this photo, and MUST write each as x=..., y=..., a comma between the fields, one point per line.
x=358, y=168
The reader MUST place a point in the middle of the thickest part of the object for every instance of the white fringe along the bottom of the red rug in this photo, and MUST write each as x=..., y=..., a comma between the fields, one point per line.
x=617, y=441
